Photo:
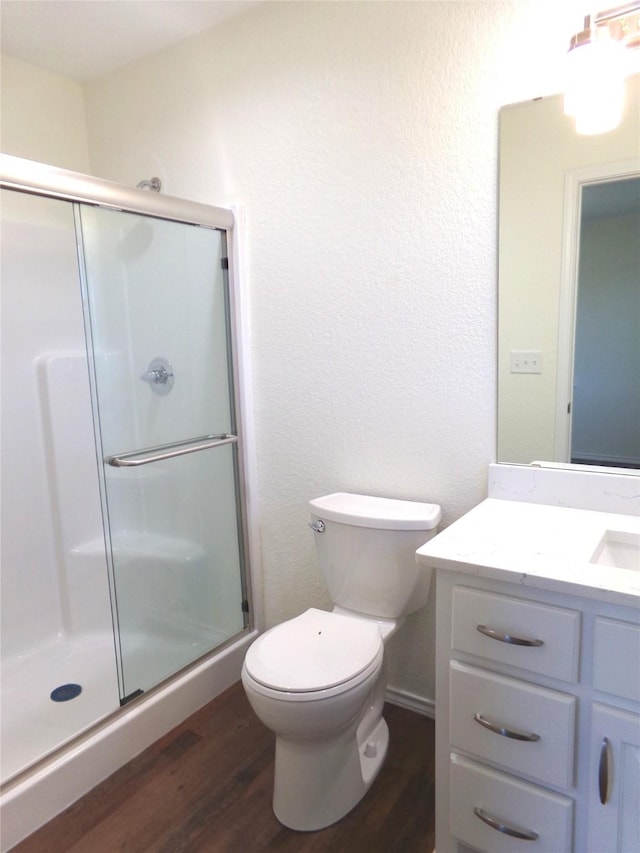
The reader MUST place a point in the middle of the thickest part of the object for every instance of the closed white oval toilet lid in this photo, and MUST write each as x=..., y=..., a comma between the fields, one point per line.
x=313, y=651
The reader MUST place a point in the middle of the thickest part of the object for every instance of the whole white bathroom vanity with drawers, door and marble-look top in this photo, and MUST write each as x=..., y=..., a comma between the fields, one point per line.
x=537, y=698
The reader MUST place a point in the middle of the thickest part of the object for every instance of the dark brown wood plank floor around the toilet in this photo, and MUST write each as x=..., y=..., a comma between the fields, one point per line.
x=207, y=786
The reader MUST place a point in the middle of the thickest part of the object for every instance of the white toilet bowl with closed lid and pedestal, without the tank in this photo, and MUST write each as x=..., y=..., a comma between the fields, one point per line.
x=317, y=682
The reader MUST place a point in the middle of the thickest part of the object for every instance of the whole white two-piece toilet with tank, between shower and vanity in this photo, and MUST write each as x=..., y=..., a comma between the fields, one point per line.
x=318, y=680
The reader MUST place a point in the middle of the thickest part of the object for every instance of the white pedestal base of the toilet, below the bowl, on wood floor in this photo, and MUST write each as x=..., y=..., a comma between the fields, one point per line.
x=318, y=783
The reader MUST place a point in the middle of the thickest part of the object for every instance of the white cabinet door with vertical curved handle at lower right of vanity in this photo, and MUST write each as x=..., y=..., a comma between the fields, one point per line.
x=614, y=777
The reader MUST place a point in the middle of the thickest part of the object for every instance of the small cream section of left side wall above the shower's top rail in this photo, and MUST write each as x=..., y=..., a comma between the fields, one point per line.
x=42, y=116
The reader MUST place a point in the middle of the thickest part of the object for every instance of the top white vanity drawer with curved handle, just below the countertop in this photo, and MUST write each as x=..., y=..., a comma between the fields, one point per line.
x=511, y=625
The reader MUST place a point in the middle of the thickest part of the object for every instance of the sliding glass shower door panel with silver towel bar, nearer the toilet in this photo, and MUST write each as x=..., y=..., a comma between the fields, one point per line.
x=158, y=324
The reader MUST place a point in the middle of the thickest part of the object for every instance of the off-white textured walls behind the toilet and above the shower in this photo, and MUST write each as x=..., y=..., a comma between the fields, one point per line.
x=360, y=140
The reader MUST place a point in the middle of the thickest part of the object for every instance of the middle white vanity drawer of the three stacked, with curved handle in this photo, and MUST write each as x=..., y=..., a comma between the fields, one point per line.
x=517, y=710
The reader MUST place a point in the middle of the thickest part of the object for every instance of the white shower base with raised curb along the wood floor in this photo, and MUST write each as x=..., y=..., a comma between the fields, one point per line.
x=33, y=797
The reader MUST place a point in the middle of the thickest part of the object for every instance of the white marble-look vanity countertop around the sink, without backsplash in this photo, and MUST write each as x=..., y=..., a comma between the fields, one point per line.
x=548, y=547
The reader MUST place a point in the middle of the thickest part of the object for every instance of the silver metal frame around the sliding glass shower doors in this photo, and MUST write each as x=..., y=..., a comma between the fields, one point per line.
x=29, y=176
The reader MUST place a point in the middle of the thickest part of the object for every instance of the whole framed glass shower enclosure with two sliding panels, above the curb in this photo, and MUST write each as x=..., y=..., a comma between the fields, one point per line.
x=125, y=550
